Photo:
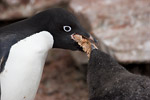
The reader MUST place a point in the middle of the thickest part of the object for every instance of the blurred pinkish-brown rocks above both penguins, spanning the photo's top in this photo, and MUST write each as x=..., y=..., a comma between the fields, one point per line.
x=121, y=26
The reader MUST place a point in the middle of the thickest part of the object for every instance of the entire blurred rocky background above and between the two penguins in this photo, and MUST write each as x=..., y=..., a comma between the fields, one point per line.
x=122, y=28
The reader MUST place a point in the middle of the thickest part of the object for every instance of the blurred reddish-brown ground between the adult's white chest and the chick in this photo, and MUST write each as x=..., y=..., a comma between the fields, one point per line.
x=62, y=80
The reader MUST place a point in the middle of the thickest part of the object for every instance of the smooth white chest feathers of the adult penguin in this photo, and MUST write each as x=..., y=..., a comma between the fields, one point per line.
x=22, y=74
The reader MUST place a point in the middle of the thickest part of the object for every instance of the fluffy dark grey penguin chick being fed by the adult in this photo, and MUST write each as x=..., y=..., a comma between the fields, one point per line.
x=108, y=80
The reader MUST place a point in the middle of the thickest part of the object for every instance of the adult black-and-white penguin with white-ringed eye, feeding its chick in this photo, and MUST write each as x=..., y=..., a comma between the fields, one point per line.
x=24, y=46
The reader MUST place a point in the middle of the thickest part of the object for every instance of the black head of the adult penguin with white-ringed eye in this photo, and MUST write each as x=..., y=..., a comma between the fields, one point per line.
x=62, y=26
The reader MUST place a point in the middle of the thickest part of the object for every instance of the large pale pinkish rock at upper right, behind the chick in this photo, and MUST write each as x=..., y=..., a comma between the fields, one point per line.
x=122, y=26
